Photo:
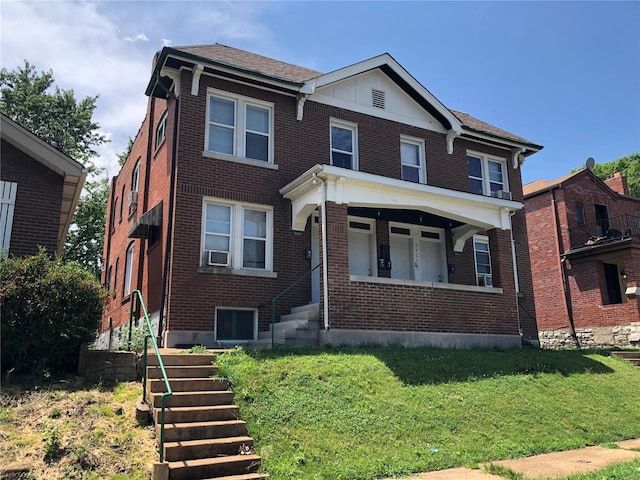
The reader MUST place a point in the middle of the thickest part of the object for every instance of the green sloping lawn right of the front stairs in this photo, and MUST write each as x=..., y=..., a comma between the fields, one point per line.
x=380, y=412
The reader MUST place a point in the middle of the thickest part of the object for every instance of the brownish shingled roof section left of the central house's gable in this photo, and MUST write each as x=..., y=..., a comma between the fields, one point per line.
x=251, y=61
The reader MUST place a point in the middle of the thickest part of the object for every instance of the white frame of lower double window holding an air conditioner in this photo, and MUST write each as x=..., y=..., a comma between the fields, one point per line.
x=236, y=235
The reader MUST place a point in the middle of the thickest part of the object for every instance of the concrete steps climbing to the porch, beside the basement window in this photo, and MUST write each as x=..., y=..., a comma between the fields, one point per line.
x=298, y=329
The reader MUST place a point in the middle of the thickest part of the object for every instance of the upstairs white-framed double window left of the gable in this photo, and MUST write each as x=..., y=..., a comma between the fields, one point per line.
x=240, y=127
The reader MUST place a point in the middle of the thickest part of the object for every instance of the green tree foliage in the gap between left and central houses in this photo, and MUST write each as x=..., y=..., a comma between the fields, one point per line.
x=85, y=239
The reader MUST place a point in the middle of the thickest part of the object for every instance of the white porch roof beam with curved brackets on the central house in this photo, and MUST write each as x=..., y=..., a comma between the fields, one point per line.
x=358, y=189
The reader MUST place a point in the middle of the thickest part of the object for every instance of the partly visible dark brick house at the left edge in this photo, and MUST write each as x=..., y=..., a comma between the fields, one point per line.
x=39, y=190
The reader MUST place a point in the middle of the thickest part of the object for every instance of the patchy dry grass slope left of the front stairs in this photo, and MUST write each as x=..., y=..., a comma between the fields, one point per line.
x=71, y=430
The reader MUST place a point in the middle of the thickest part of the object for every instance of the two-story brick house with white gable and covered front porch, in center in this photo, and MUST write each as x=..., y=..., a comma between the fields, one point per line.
x=248, y=172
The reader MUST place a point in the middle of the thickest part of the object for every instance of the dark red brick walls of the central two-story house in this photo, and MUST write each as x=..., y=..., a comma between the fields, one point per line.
x=193, y=296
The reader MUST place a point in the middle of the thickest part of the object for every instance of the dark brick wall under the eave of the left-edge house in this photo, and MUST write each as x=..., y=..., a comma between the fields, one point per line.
x=36, y=214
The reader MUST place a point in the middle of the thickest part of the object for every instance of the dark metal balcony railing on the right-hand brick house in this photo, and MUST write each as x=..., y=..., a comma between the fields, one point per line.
x=613, y=228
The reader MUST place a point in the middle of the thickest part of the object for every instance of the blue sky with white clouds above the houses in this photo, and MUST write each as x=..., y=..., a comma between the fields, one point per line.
x=565, y=75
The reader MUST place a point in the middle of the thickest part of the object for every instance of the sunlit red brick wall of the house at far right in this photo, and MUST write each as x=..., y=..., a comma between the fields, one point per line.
x=586, y=281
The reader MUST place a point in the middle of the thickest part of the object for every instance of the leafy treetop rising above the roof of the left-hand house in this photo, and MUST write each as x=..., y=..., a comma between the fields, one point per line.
x=53, y=114
